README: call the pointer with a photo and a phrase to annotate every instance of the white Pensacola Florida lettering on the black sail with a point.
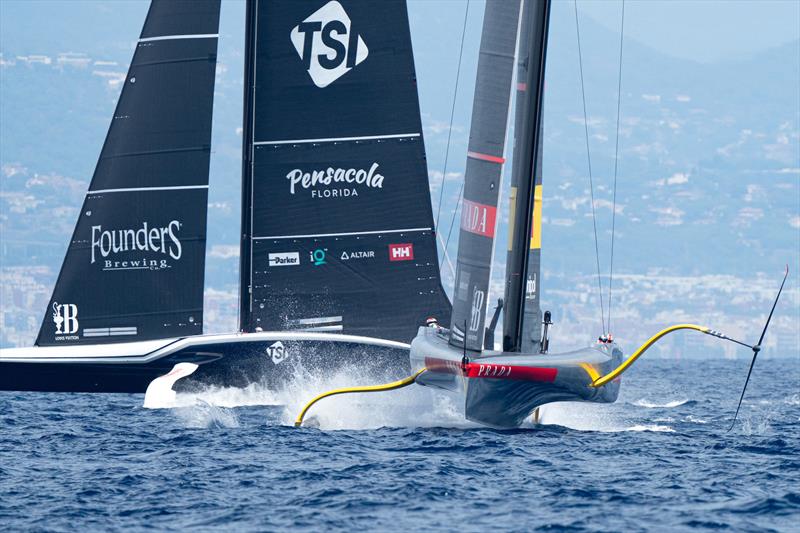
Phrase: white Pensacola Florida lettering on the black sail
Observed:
(335, 182)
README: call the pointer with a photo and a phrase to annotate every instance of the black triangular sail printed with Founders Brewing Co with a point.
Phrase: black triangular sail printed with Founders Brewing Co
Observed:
(135, 264)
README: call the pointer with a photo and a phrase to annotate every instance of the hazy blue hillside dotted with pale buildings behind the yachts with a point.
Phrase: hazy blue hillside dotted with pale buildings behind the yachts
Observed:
(709, 173)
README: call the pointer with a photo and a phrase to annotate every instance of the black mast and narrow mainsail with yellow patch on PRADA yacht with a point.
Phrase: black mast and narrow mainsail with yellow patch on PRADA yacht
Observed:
(522, 313)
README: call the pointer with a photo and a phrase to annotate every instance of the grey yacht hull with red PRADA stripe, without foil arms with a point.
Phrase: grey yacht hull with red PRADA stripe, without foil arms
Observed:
(502, 389)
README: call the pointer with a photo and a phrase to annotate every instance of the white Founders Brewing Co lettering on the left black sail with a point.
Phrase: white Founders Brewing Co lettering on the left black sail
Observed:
(143, 248)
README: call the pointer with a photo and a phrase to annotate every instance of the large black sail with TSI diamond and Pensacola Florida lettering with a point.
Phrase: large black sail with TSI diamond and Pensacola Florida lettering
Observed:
(339, 226)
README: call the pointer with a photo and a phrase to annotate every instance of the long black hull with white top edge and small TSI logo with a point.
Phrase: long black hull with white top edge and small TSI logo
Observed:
(221, 364)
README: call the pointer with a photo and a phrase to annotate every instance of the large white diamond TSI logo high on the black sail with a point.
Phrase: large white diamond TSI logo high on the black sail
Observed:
(328, 45)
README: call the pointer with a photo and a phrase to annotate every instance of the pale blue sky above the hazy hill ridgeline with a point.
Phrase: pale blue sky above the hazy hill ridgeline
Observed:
(702, 30)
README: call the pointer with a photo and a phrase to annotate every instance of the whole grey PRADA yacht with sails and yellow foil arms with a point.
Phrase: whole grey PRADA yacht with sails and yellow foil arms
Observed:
(502, 388)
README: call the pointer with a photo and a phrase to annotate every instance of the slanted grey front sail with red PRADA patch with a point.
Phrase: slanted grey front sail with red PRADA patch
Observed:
(485, 160)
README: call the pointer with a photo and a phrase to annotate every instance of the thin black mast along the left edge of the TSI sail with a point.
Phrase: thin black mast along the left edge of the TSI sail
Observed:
(245, 248)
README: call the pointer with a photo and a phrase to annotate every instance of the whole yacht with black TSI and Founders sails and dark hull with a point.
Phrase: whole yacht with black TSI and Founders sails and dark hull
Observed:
(338, 255)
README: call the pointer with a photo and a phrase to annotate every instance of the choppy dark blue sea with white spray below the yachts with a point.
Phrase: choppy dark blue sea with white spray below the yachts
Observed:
(659, 459)
